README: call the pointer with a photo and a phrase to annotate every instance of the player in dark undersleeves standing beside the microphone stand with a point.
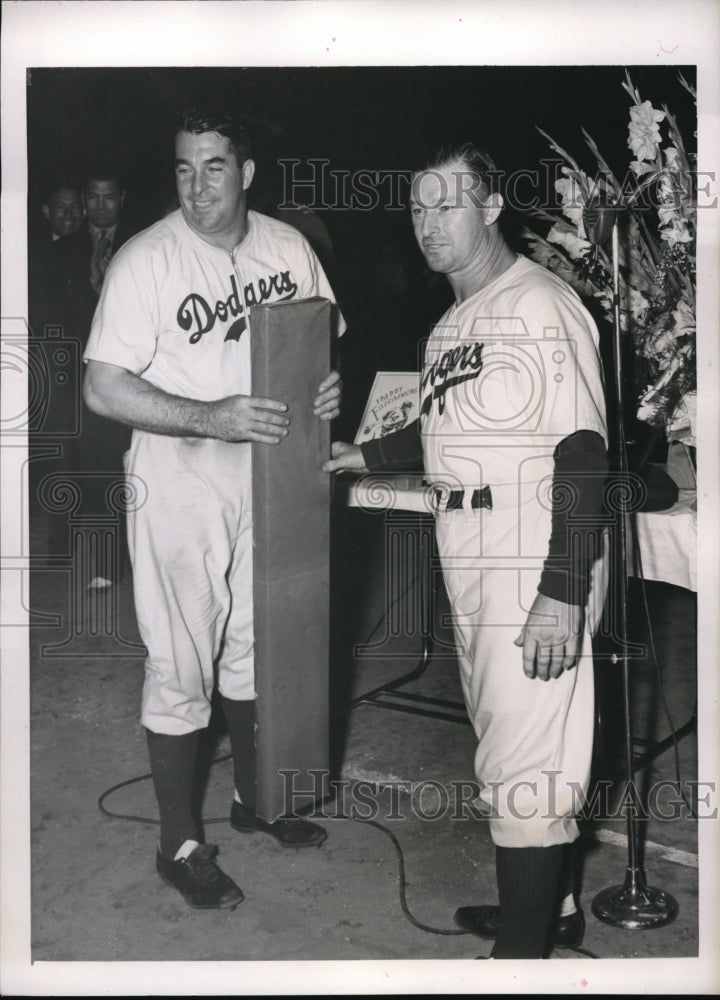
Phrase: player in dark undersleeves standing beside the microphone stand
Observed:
(513, 441)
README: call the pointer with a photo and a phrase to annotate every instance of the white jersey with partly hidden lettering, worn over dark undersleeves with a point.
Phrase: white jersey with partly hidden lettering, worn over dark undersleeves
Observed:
(509, 373)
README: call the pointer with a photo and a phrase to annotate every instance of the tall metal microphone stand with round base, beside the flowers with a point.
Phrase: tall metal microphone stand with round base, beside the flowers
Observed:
(634, 904)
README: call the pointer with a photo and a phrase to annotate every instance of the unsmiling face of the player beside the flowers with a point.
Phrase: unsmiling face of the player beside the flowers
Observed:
(449, 218)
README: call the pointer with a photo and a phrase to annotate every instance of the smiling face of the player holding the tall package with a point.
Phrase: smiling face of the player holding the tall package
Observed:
(212, 187)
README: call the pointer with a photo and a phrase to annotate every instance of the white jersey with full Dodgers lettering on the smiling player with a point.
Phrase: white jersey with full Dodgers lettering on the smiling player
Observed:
(175, 310)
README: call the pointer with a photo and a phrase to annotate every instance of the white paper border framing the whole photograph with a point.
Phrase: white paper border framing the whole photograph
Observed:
(329, 33)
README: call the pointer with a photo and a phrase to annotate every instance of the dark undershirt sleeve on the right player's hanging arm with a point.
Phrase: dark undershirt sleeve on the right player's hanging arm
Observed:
(578, 488)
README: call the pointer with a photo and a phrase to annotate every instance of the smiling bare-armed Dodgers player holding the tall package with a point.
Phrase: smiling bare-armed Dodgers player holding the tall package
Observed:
(169, 354)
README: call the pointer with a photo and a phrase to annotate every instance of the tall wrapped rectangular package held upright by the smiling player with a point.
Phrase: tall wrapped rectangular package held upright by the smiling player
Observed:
(291, 352)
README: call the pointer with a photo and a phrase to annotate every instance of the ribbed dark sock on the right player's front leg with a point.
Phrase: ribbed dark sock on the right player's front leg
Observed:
(528, 880)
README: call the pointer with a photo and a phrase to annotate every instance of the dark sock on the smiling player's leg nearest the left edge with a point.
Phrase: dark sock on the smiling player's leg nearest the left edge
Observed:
(172, 763)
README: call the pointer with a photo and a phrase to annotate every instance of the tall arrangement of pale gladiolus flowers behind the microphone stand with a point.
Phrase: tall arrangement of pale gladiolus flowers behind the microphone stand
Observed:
(656, 253)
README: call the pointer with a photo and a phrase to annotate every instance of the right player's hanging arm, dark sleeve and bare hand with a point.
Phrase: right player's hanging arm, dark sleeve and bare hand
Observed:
(552, 634)
